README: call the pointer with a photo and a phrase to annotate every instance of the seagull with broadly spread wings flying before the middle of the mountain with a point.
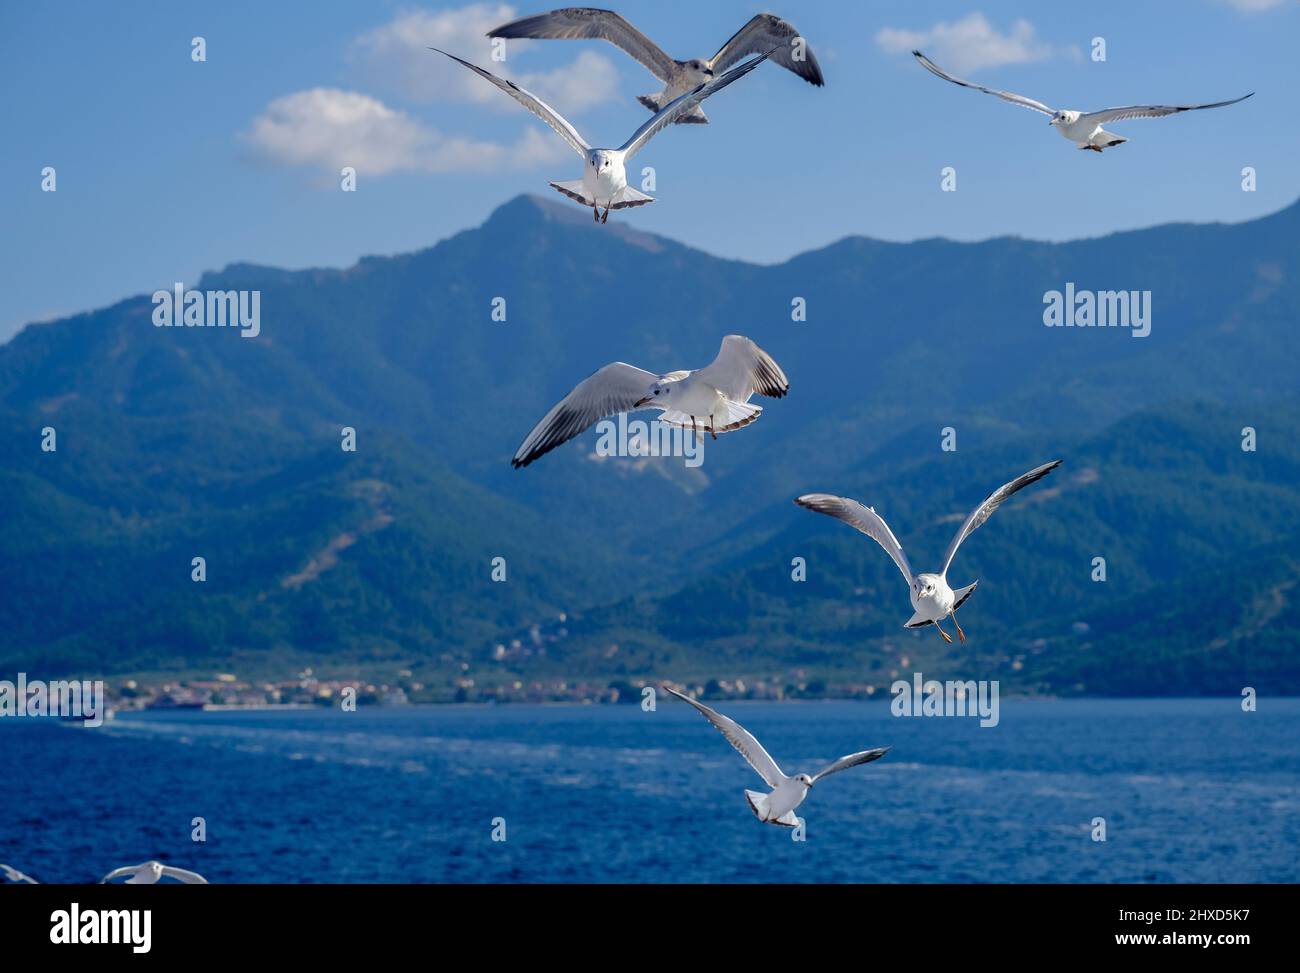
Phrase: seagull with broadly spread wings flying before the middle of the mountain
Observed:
(714, 399)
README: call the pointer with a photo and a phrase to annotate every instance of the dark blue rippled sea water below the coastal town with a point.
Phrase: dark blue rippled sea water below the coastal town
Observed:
(1191, 792)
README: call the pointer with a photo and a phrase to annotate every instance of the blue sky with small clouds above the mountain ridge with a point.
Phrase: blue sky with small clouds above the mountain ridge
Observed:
(167, 168)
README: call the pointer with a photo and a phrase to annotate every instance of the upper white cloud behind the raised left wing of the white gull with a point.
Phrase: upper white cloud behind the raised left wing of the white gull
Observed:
(397, 57)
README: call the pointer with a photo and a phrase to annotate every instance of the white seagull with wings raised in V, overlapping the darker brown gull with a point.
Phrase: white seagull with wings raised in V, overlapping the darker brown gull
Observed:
(605, 179)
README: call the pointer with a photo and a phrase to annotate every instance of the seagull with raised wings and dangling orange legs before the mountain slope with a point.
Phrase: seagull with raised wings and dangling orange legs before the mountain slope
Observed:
(931, 598)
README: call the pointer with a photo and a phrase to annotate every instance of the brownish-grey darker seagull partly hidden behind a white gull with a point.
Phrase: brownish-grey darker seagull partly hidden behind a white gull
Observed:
(762, 33)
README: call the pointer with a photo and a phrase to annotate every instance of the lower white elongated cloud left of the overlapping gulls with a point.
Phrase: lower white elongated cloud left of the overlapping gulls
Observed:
(328, 129)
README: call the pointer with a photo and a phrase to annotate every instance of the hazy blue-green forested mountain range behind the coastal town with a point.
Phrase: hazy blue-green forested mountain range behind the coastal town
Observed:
(175, 443)
